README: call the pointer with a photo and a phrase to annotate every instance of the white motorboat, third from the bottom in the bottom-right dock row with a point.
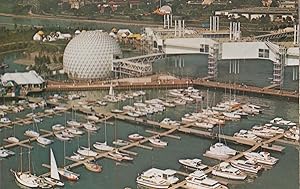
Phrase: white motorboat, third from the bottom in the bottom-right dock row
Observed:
(246, 165)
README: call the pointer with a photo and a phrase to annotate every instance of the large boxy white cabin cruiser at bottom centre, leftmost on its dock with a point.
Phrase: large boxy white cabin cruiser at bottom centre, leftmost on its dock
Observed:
(156, 178)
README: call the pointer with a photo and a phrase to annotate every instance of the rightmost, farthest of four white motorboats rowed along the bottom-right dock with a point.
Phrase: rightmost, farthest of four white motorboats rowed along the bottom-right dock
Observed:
(261, 157)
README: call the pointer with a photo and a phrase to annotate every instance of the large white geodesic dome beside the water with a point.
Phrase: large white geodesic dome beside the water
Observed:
(89, 55)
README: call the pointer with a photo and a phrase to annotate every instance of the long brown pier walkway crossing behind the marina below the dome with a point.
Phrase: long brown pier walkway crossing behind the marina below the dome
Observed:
(175, 83)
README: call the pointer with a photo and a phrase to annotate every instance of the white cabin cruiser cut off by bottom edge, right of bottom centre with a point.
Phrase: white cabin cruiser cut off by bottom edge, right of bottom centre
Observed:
(199, 180)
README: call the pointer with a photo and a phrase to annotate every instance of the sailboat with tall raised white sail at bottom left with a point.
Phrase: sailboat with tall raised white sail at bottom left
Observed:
(54, 178)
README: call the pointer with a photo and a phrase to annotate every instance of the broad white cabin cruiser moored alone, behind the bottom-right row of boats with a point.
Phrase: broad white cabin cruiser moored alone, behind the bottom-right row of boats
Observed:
(220, 151)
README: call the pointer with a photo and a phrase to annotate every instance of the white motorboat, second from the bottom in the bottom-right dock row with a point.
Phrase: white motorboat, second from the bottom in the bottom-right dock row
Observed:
(225, 170)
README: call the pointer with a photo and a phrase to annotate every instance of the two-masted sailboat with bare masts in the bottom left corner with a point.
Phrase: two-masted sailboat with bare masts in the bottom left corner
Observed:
(26, 178)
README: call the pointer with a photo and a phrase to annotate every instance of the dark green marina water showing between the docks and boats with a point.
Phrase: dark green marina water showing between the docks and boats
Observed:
(116, 175)
